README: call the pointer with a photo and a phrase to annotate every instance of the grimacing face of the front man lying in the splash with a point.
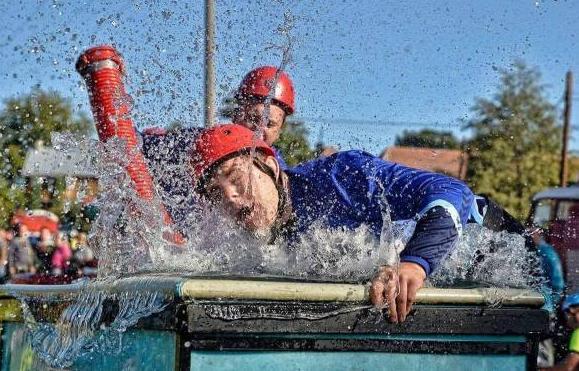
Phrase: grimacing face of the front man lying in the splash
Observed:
(245, 192)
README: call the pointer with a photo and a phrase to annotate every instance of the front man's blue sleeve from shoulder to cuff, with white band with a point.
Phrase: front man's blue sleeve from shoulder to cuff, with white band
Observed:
(440, 204)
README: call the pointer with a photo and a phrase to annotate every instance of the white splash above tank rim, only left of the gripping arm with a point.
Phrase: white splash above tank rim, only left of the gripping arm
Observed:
(127, 235)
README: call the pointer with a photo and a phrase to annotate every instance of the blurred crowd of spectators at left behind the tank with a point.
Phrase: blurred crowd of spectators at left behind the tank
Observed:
(56, 255)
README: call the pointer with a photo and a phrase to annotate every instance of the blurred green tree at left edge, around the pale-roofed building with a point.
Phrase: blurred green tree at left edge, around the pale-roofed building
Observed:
(25, 121)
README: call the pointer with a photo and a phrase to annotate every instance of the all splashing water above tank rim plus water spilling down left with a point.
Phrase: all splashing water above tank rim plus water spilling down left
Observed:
(128, 239)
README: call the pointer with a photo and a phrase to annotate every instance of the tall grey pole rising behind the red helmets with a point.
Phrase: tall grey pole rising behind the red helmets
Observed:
(209, 63)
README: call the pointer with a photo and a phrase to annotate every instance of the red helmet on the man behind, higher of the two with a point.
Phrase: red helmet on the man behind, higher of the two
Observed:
(258, 83)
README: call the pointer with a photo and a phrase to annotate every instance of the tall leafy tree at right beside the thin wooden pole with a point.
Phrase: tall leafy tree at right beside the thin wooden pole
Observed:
(515, 147)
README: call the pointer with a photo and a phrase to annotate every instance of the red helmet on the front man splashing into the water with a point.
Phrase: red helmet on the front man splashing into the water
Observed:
(215, 143)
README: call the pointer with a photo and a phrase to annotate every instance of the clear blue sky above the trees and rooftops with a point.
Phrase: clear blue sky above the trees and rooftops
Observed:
(364, 70)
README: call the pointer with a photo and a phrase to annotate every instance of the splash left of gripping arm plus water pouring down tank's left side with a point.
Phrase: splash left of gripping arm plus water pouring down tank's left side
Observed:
(128, 238)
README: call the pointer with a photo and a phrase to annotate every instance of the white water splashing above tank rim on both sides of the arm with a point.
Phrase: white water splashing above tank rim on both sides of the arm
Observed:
(127, 237)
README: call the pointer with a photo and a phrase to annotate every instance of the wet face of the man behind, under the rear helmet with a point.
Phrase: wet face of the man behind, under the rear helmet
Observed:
(252, 116)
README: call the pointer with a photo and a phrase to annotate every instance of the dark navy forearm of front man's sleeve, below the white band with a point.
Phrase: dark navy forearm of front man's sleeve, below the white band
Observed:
(434, 238)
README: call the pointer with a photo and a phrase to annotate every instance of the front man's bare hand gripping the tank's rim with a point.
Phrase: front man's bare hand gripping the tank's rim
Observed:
(396, 290)
